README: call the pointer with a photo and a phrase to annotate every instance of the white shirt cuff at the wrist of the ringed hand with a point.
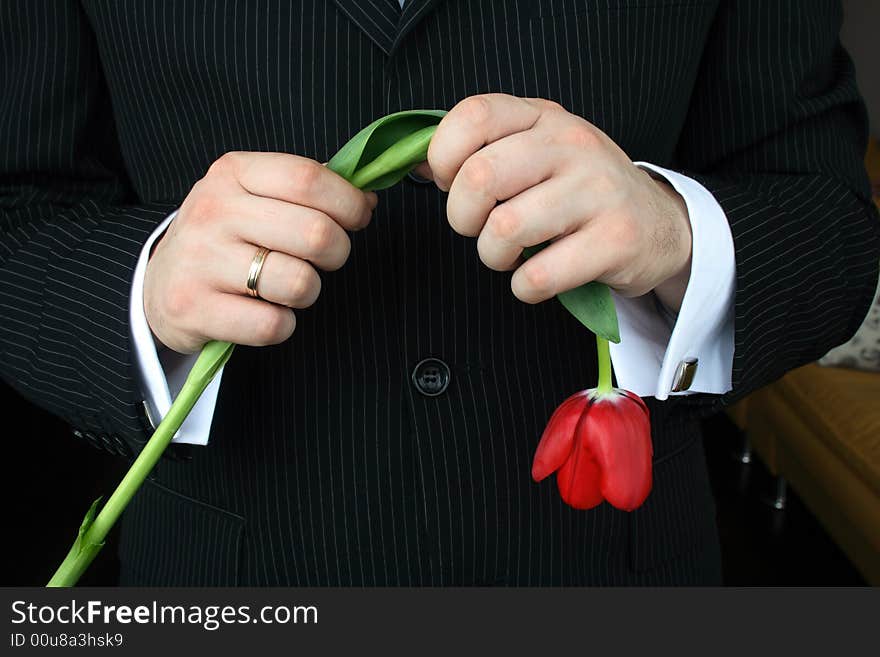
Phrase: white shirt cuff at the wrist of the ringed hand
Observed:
(161, 376)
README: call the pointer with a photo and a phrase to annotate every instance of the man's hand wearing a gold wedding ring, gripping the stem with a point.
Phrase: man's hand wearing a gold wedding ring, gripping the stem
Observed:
(195, 283)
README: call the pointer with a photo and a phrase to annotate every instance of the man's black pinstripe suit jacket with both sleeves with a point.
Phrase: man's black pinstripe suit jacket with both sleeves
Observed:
(326, 465)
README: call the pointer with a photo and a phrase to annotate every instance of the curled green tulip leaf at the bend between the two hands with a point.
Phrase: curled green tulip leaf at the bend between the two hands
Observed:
(380, 136)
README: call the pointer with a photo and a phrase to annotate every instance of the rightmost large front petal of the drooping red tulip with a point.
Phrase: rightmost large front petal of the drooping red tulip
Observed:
(618, 432)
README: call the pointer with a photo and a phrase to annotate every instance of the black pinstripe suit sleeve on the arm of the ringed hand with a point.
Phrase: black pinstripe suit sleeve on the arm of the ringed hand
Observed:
(71, 228)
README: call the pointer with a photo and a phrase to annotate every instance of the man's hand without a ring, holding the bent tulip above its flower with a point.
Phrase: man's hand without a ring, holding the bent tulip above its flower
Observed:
(522, 171)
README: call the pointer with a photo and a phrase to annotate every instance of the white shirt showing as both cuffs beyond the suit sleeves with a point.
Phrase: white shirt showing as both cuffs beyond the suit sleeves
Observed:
(652, 344)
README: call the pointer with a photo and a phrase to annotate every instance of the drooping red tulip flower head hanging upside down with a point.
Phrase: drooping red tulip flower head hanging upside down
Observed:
(599, 445)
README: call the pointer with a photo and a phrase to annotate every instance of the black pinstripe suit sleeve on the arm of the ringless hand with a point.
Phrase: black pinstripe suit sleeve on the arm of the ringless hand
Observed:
(776, 131)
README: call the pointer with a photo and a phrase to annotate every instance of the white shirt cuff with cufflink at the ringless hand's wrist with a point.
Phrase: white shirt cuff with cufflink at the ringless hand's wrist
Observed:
(651, 347)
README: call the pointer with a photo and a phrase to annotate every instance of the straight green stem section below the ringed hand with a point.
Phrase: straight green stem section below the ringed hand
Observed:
(95, 528)
